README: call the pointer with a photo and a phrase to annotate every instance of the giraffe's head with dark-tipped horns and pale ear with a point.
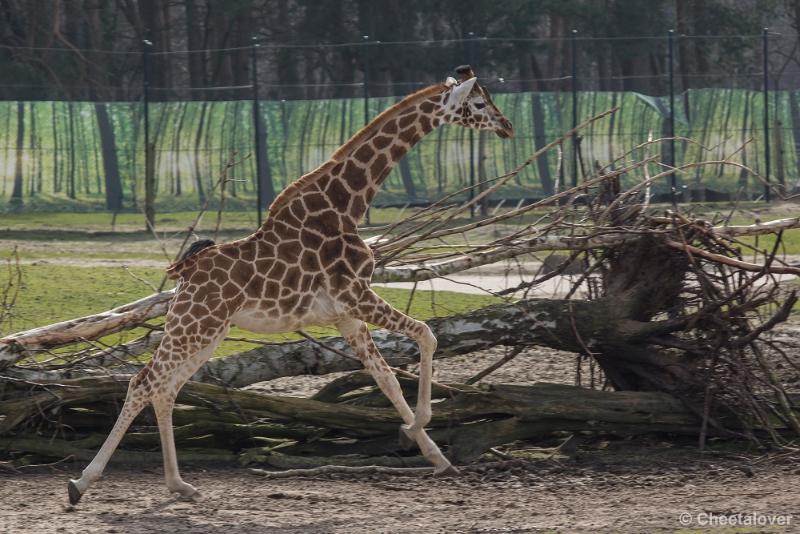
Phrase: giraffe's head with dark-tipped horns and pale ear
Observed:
(469, 104)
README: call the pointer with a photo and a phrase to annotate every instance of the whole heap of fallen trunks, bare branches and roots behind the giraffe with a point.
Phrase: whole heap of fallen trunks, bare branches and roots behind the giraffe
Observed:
(676, 312)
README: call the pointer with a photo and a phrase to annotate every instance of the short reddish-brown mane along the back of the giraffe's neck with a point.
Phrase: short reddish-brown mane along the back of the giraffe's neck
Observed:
(343, 151)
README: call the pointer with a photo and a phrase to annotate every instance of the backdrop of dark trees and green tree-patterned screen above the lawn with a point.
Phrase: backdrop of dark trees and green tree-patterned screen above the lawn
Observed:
(72, 91)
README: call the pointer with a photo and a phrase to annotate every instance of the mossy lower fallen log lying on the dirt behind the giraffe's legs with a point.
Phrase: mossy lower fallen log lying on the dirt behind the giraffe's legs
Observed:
(469, 420)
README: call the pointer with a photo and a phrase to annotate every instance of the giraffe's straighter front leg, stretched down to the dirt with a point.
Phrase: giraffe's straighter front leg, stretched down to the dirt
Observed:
(358, 337)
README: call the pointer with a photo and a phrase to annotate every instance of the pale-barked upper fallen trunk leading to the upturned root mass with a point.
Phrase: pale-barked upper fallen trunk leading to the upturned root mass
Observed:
(560, 324)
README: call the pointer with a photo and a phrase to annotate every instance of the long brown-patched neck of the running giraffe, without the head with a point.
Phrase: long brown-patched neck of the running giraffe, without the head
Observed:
(351, 178)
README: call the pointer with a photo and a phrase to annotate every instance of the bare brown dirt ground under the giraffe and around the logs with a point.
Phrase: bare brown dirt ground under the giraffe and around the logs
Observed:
(639, 485)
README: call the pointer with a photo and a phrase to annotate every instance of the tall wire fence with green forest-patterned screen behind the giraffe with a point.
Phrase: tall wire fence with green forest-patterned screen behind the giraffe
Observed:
(83, 146)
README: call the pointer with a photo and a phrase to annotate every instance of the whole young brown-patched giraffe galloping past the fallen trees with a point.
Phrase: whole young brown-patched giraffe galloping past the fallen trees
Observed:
(306, 265)
